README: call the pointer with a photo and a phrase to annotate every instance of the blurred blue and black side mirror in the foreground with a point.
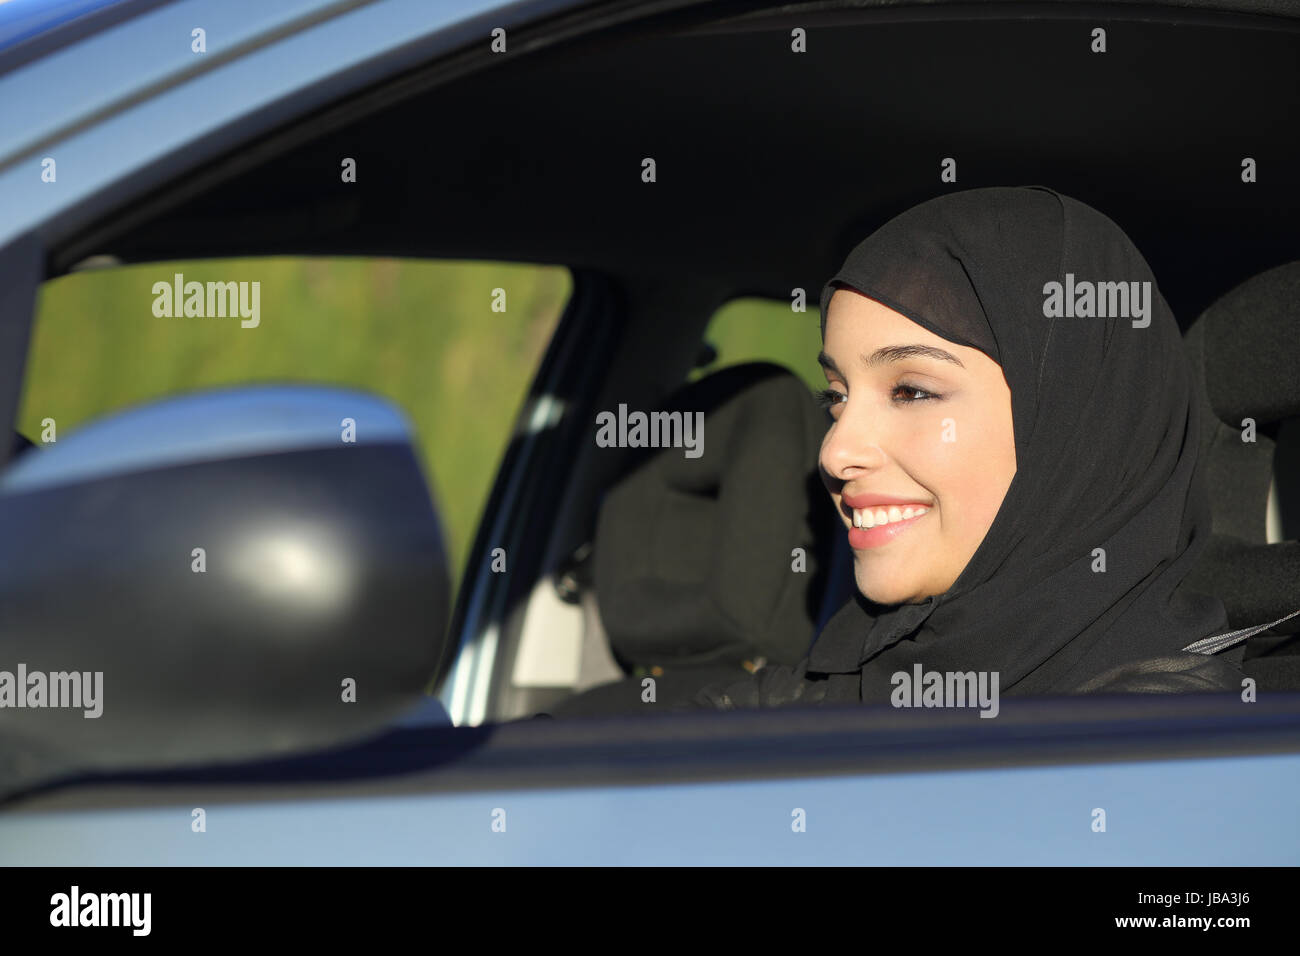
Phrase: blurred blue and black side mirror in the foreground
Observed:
(222, 577)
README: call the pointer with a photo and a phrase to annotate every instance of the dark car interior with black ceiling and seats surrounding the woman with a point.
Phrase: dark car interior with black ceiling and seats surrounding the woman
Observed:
(769, 167)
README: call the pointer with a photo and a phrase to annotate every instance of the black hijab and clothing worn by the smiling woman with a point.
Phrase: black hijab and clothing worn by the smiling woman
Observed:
(1107, 457)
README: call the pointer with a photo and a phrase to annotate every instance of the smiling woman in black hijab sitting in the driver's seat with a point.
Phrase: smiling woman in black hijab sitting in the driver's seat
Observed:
(1016, 474)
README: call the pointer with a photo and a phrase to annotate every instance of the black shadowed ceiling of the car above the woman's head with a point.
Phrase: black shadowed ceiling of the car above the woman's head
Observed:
(773, 165)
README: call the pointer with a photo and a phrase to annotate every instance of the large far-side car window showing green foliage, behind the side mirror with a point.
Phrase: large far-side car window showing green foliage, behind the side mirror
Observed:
(453, 344)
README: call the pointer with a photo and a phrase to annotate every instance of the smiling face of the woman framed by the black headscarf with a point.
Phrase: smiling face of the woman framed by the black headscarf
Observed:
(918, 423)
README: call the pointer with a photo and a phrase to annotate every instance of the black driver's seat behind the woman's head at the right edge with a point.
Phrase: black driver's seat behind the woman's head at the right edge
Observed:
(1246, 357)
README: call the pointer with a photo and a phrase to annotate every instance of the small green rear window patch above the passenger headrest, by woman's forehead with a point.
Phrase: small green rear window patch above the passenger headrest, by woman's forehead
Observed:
(757, 330)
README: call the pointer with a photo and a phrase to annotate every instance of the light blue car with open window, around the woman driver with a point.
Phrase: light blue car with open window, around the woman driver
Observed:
(241, 607)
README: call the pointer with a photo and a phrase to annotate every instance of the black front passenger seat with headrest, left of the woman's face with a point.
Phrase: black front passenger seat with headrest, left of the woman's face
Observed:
(695, 559)
